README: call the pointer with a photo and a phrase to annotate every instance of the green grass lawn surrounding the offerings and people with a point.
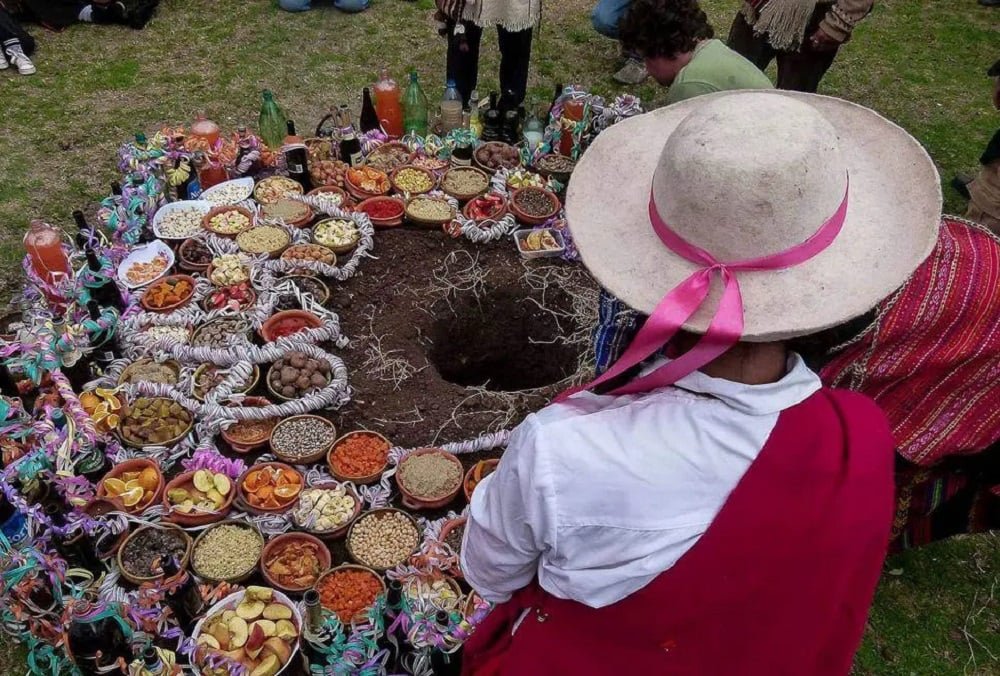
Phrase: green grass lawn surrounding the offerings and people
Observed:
(920, 62)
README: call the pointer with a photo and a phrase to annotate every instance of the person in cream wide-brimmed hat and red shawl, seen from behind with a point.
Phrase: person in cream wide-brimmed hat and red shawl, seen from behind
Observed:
(718, 512)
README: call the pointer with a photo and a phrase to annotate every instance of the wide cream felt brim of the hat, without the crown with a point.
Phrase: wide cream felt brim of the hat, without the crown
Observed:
(891, 227)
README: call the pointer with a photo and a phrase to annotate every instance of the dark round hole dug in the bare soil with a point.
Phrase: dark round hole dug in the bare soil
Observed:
(504, 341)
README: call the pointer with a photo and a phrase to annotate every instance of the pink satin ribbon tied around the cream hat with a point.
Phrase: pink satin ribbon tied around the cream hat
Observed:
(681, 303)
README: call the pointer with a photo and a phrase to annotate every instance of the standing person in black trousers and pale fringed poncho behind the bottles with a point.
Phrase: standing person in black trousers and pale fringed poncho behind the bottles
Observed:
(463, 22)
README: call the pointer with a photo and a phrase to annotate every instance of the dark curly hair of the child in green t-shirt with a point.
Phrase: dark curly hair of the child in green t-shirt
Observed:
(655, 28)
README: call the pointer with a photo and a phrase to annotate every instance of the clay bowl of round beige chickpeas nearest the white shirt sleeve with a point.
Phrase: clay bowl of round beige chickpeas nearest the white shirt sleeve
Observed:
(383, 538)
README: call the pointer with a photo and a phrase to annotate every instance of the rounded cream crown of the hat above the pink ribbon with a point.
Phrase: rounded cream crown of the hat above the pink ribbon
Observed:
(749, 175)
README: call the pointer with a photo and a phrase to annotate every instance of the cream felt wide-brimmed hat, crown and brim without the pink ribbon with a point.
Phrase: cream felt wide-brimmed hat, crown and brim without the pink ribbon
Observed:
(751, 173)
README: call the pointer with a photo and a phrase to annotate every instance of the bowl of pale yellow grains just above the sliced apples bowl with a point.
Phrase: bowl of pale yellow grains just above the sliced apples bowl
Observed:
(228, 551)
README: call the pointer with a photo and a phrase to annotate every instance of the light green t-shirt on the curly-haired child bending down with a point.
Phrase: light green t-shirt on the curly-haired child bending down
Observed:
(715, 68)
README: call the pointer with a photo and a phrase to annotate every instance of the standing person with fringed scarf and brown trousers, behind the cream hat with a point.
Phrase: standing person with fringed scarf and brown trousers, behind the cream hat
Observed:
(802, 35)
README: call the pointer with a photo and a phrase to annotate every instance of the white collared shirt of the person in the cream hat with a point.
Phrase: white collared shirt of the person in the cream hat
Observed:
(599, 495)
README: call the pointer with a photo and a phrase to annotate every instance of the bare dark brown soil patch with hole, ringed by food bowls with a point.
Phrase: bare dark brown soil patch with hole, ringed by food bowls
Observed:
(497, 339)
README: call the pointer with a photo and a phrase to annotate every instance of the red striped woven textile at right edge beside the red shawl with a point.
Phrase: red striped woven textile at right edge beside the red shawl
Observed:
(932, 360)
